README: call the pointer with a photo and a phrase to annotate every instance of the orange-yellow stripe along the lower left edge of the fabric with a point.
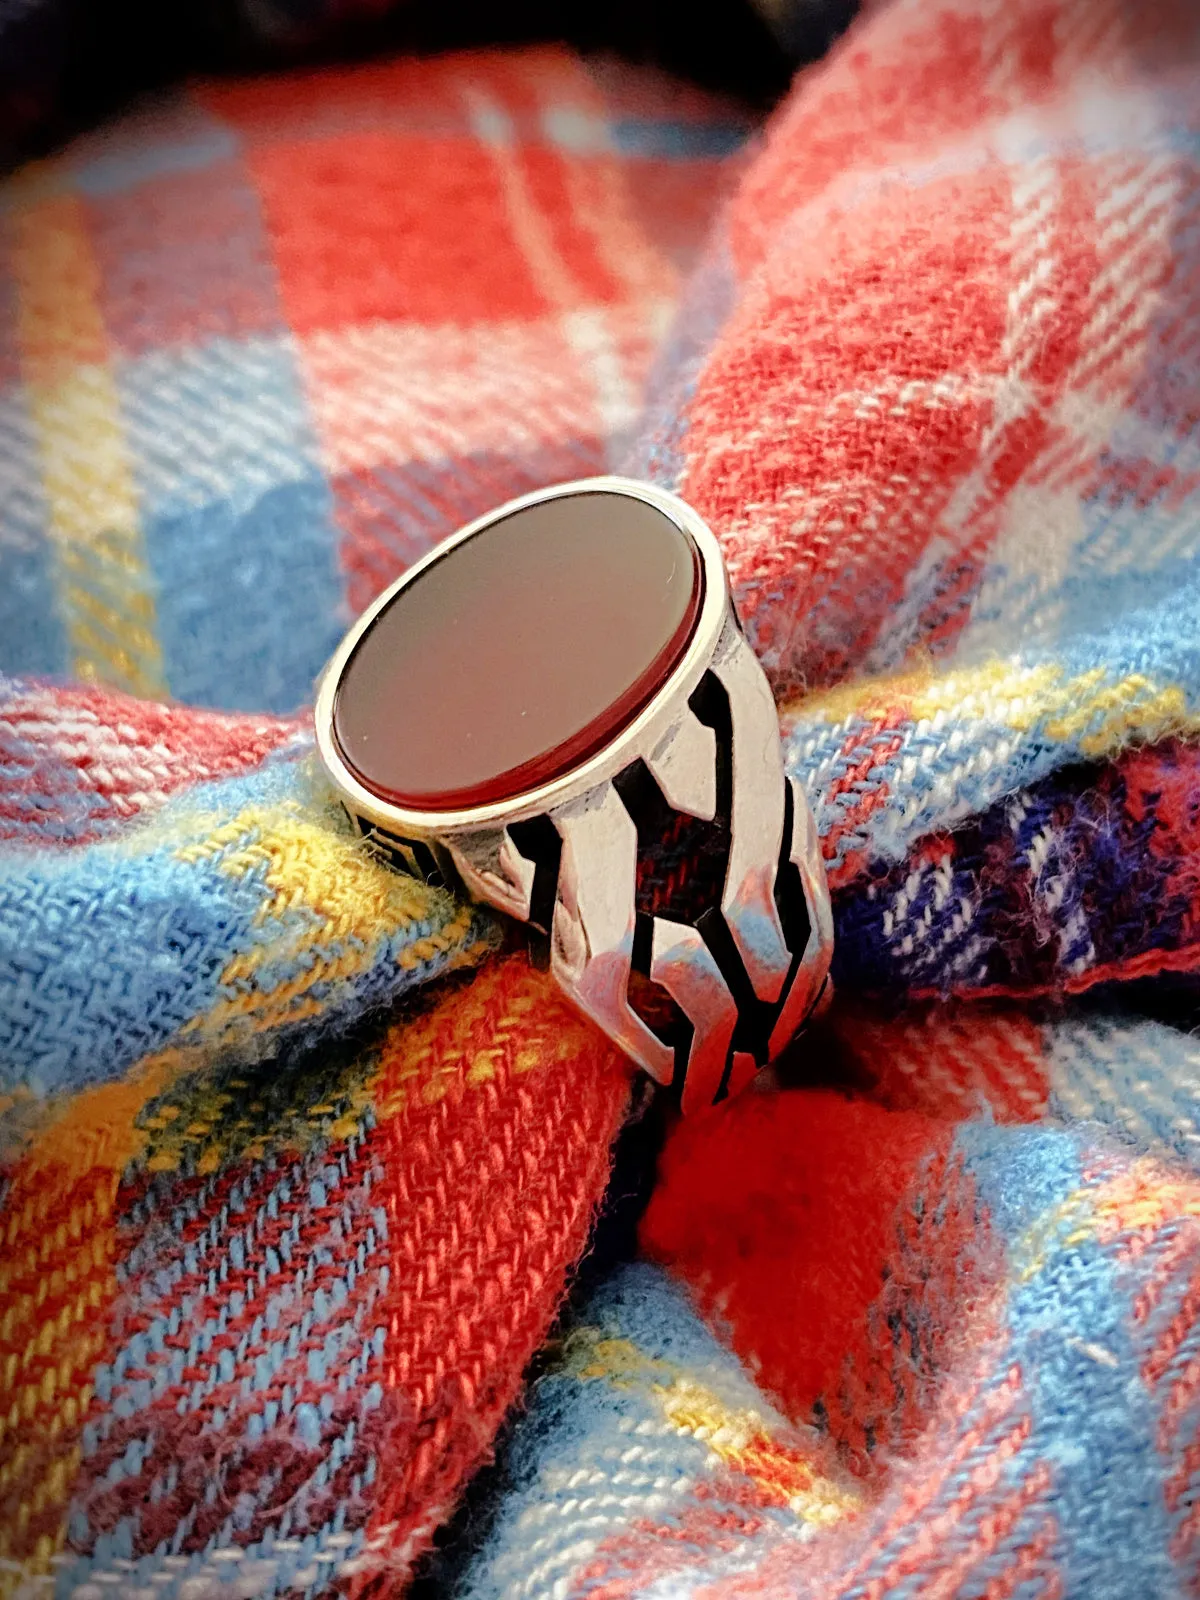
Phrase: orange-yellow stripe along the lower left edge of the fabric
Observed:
(57, 1286)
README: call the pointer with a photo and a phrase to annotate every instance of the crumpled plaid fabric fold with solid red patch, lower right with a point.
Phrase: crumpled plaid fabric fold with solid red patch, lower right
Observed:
(977, 1313)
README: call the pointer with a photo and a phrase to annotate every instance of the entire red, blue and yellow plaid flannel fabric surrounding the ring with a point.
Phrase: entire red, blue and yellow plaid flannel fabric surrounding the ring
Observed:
(300, 1158)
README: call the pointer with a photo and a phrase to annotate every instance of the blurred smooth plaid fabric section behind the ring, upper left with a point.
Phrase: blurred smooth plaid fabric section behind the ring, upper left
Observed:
(271, 340)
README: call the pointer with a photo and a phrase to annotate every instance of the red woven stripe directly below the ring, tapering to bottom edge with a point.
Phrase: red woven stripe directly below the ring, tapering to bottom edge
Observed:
(497, 1114)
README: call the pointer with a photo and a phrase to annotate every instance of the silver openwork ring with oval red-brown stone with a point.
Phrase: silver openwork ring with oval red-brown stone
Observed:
(665, 865)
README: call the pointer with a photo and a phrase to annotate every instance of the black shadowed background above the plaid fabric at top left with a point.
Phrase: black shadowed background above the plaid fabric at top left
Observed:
(66, 63)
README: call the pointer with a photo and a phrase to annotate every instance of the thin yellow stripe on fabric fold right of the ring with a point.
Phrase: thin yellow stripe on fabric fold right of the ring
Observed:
(1090, 710)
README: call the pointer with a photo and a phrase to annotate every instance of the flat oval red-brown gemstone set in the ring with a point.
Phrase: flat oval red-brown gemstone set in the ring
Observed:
(519, 654)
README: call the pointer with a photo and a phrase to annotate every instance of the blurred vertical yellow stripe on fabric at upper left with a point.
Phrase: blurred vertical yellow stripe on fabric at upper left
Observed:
(102, 575)
